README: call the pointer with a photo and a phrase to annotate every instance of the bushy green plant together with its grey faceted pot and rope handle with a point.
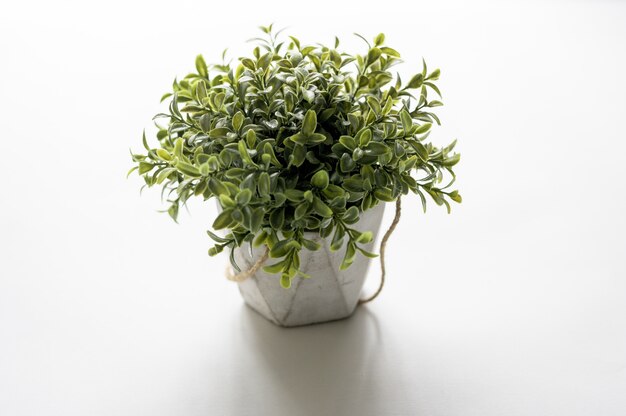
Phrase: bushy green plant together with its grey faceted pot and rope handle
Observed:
(301, 147)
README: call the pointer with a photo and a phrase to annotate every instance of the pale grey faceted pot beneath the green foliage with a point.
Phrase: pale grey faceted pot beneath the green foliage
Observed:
(329, 294)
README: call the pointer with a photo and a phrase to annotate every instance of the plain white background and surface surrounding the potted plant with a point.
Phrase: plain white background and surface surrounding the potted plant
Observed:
(513, 305)
